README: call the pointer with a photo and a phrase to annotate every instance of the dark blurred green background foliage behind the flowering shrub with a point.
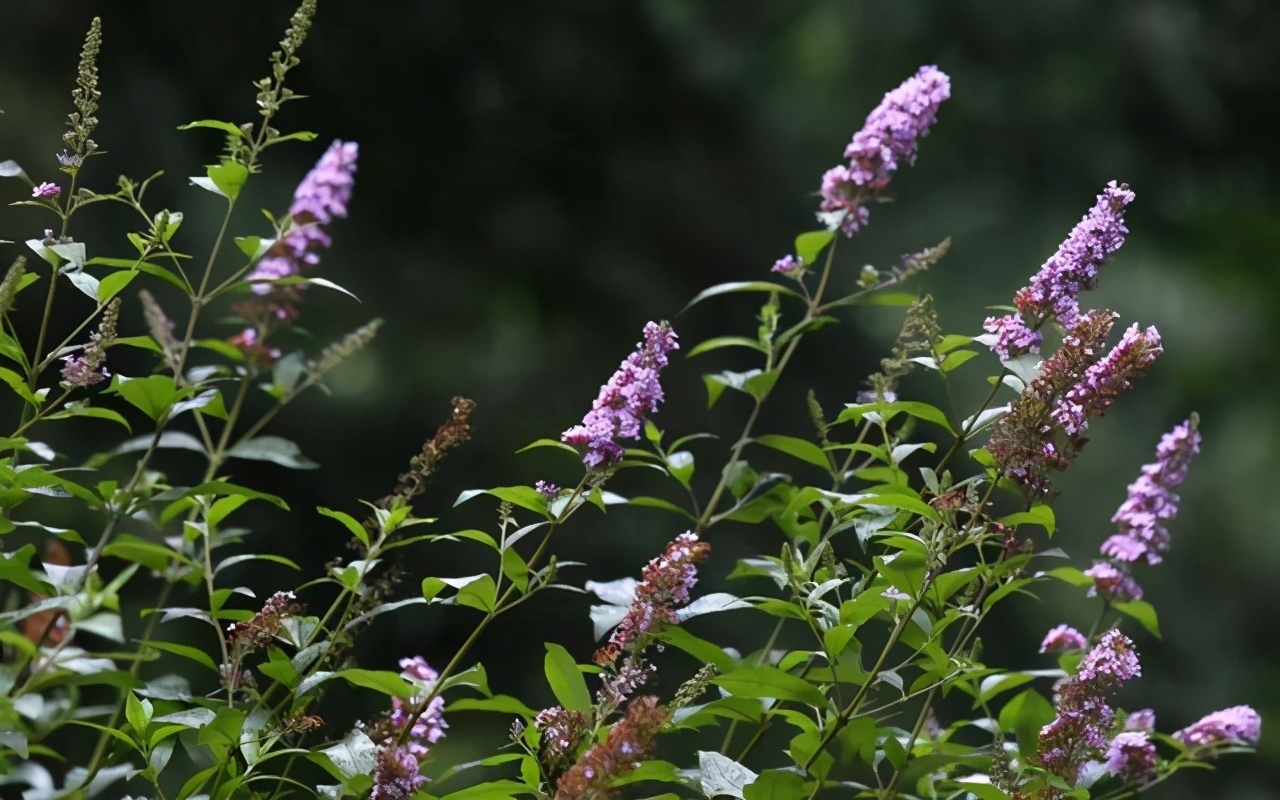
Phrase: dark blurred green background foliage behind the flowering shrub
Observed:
(538, 180)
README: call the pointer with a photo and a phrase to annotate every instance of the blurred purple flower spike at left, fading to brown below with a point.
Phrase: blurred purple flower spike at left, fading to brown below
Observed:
(321, 198)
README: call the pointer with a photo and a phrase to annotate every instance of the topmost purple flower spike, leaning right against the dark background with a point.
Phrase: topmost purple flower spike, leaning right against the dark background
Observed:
(889, 139)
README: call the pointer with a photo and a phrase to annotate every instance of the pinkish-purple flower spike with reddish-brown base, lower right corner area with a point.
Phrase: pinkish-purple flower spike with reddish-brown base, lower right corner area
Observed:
(1080, 732)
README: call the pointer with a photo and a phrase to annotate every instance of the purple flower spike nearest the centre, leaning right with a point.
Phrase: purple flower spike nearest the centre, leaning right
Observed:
(624, 404)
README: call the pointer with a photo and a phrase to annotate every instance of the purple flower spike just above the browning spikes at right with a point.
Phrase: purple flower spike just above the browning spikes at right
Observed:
(1054, 291)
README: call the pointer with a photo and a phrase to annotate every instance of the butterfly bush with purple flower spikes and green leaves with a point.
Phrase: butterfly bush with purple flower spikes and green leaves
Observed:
(851, 661)
